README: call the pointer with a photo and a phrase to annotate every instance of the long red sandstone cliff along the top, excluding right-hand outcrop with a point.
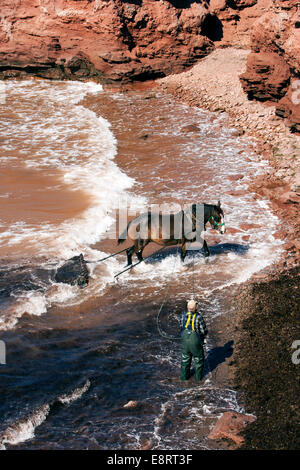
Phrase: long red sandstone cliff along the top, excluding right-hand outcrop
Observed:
(117, 39)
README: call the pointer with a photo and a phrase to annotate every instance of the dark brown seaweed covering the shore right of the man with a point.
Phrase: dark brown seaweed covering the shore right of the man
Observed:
(265, 374)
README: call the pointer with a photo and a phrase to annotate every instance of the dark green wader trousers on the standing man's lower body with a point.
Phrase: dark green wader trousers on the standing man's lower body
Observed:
(191, 347)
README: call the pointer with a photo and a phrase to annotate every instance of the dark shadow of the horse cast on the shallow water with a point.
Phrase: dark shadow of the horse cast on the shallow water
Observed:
(215, 250)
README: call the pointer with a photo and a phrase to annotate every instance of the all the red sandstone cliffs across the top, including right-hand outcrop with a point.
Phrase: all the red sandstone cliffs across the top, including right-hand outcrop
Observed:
(140, 39)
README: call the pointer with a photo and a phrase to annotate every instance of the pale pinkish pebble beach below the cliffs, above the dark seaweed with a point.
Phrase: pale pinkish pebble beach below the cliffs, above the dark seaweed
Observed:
(214, 84)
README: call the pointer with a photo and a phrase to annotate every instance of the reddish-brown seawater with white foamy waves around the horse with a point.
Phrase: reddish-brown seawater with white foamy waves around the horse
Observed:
(71, 153)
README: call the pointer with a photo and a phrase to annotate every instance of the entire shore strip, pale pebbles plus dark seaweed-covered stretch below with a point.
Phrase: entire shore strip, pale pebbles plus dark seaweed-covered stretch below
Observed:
(266, 317)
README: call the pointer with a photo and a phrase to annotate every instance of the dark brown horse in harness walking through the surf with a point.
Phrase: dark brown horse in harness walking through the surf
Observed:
(172, 229)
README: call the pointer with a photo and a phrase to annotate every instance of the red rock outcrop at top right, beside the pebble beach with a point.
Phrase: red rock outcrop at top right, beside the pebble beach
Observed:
(273, 66)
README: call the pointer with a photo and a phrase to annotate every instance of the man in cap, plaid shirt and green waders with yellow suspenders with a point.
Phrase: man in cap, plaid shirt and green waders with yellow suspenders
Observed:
(193, 334)
